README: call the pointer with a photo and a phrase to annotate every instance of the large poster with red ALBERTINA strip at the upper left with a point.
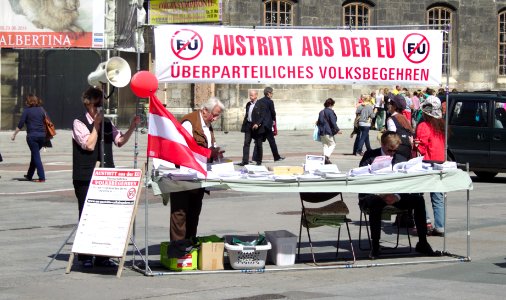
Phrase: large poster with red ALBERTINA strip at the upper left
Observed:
(52, 24)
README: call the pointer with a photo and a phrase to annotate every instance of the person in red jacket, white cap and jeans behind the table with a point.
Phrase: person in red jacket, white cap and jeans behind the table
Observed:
(430, 142)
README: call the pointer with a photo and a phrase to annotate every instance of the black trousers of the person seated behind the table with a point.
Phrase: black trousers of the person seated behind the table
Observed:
(375, 204)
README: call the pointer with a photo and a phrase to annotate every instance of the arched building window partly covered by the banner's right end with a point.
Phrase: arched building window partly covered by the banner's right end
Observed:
(440, 17)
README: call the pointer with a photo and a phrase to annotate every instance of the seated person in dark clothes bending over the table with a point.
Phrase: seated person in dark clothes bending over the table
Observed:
(375, 203)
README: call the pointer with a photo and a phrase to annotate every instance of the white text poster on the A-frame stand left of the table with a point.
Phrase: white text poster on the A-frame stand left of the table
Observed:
(108, 212)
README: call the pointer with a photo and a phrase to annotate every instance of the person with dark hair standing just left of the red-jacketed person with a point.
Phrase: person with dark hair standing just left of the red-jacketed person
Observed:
(398, 123)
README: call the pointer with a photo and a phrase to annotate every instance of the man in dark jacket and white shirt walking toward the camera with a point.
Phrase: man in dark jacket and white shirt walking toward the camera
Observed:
(253, 128)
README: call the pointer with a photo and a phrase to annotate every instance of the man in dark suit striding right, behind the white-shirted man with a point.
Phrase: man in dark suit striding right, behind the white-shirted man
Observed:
(269, 123)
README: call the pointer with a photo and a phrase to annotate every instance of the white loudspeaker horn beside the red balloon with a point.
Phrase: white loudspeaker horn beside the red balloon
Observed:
(115, 71)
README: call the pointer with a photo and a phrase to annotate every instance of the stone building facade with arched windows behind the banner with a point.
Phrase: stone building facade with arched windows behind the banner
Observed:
(473, 58)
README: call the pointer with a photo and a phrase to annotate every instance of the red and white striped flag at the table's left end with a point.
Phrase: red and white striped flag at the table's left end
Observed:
(169, 140)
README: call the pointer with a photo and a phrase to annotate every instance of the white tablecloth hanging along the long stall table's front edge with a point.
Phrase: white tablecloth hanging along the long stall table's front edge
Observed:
(431, 181)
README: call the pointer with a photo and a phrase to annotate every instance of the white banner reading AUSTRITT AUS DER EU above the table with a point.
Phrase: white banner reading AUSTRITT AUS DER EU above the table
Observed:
(186, 53)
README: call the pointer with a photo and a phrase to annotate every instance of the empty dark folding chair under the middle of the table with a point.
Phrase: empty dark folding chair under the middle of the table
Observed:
(333, 214)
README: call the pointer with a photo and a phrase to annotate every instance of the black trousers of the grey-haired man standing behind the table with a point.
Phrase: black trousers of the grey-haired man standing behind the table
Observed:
(185, 210)
